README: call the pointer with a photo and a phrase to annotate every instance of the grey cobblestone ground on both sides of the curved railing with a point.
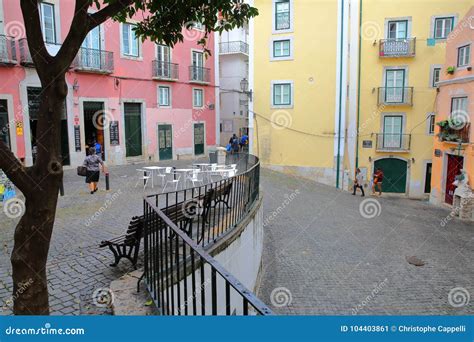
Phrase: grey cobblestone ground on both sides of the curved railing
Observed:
(321, 256)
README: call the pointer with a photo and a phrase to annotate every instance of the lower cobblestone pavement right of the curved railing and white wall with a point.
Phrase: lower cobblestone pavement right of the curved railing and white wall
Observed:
(323, 257)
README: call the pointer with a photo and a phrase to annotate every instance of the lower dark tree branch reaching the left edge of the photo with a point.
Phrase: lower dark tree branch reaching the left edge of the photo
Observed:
(14, 170)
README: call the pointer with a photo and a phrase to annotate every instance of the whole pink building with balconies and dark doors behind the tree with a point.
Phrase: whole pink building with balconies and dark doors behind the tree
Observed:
(141, 101)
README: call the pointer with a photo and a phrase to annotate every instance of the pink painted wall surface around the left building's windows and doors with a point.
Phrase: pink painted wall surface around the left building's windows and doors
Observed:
(134, 81)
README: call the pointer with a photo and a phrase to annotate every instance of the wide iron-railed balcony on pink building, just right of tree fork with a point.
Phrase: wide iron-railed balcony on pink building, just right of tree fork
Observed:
(93, 60)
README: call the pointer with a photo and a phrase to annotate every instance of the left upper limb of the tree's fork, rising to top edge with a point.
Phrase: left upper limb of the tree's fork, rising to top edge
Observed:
(38, 52)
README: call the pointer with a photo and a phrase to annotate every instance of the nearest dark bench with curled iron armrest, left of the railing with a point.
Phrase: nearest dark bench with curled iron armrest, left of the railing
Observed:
(127, 245)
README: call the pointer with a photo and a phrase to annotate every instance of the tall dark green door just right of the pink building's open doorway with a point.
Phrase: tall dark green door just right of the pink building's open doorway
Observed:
(133, 129)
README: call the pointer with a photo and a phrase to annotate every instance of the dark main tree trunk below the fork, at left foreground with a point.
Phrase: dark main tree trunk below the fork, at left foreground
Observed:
(33, 232)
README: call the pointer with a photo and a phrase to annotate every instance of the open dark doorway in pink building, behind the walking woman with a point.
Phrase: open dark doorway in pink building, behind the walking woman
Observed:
(94, 122)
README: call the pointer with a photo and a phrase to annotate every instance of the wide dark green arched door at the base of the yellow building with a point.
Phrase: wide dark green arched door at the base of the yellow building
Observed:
(395, 174)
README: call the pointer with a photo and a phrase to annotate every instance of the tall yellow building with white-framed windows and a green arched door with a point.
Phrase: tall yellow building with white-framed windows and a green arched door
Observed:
(340, 84)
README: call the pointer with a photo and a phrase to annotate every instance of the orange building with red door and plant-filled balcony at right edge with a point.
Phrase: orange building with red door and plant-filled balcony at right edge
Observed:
(454, 129)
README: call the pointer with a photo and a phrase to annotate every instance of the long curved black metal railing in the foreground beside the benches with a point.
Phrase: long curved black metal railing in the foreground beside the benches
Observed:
(183, 279)
